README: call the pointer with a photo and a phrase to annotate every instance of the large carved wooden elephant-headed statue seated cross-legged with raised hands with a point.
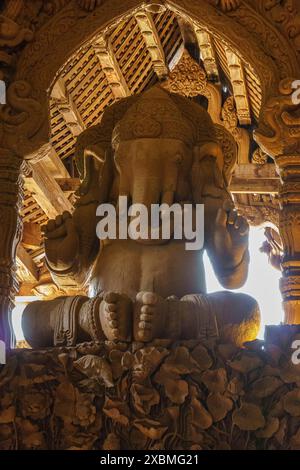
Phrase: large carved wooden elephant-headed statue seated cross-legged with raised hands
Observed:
(153, 148)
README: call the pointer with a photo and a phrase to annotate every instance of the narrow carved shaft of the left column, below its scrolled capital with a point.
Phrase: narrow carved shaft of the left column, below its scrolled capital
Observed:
(10, 223)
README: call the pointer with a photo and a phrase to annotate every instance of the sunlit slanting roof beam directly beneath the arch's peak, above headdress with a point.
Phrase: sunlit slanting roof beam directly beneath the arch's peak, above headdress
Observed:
(152, 40)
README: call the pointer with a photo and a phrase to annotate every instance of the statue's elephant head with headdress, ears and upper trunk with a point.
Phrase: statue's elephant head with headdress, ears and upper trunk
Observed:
(155, 148)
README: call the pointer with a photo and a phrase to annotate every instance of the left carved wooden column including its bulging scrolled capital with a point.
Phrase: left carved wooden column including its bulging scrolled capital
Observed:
(20, 122)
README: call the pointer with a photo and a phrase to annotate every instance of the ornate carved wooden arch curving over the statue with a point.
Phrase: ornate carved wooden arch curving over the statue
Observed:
(244, 29)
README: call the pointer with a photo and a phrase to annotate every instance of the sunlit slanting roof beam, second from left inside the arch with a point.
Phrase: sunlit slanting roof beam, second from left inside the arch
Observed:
(104, 51)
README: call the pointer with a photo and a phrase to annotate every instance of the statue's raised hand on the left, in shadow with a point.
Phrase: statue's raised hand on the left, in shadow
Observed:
(61, 242)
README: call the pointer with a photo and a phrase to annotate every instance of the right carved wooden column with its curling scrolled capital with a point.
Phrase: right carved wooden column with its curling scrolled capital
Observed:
(279, 136)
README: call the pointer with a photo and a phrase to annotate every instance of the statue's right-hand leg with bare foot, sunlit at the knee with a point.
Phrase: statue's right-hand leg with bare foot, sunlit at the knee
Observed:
(232, 317)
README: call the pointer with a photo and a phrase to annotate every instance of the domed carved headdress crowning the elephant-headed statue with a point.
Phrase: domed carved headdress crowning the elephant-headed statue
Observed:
(158, 113)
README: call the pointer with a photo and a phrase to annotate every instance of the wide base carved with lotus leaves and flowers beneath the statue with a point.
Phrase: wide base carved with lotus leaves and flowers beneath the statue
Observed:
(184, 395)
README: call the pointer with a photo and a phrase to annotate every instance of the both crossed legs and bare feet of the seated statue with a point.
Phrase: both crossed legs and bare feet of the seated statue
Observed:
(72, 320)
